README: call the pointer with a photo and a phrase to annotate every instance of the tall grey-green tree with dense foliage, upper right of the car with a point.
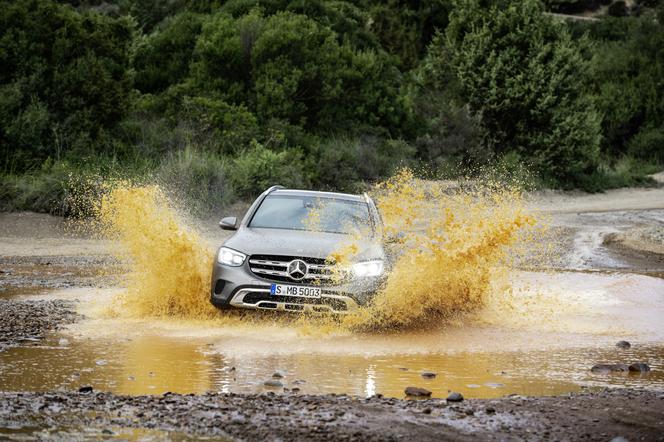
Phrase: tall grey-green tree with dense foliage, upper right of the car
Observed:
(524, 78)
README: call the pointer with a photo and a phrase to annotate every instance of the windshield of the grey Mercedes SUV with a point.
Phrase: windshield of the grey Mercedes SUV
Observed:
(318, 214)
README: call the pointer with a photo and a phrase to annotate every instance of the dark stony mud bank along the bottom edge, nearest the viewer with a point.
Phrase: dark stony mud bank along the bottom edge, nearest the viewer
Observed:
(633, 415)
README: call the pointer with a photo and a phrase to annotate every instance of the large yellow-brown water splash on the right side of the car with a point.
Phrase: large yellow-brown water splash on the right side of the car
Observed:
(454, 242)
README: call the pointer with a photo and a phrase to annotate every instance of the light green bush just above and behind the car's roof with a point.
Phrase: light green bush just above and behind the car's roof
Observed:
(258, 168)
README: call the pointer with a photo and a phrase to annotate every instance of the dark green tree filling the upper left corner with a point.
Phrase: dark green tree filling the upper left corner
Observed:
(64, 79)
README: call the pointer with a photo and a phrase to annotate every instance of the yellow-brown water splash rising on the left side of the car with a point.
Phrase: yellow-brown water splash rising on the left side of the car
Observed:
(169, 265)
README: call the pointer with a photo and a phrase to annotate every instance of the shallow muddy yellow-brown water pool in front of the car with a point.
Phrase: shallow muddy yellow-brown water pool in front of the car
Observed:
(559, 325)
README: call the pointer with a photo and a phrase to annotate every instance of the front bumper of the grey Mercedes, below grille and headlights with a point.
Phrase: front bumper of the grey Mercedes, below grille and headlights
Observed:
(238, 287)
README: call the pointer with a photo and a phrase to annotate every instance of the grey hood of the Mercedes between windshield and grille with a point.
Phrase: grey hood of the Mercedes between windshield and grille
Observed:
(257, 241)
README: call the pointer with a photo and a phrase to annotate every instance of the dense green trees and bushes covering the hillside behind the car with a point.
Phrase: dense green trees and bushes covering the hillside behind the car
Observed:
(219, 99)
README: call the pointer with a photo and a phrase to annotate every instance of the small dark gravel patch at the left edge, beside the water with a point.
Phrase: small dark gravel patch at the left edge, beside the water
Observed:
(27, 322)
